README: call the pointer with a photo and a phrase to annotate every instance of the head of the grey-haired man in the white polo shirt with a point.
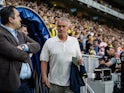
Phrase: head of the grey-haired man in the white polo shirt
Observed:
(63, 27)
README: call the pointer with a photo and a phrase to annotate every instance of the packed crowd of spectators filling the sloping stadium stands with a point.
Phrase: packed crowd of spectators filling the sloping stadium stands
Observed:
(93, 37)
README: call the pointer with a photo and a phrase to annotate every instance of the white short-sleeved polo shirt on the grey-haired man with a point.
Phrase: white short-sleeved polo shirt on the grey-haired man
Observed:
(59, 54)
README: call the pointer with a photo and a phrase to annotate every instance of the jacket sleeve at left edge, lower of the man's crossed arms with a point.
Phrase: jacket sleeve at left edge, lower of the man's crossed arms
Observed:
(10, 51)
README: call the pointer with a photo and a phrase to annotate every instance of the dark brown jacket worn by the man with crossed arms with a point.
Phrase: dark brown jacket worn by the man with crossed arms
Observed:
(11, 58)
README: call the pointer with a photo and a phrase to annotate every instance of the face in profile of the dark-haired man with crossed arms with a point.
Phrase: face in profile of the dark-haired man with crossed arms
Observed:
(17, 20)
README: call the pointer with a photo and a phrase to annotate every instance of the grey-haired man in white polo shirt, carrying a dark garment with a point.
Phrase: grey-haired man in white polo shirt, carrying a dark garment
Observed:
(58, 51)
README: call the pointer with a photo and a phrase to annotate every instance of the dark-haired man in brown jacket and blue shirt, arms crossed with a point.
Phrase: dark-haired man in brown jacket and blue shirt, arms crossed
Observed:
(15, 48)
